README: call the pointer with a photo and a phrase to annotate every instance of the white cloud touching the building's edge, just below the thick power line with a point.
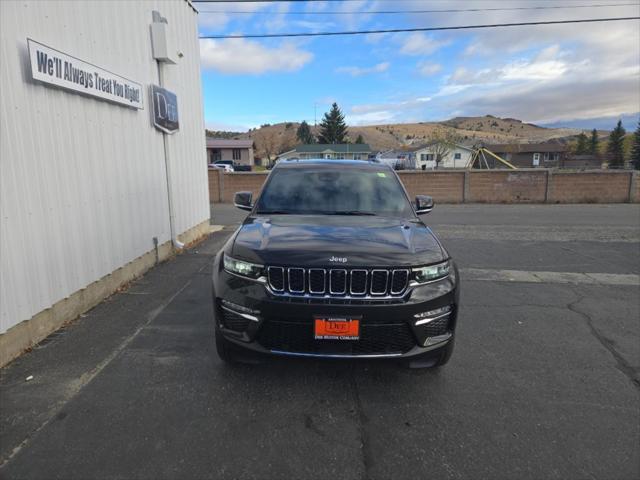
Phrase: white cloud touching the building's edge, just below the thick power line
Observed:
(251, 57)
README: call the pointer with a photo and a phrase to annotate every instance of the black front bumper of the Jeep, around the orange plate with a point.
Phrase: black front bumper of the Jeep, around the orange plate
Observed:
(252, 318)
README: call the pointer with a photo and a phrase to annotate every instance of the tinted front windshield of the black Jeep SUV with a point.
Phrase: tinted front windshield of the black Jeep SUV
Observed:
(339, 191)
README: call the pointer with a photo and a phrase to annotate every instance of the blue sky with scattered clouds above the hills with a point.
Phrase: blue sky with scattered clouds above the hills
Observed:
(539, 74)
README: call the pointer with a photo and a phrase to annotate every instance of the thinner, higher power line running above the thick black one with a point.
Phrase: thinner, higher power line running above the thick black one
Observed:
(450, 10)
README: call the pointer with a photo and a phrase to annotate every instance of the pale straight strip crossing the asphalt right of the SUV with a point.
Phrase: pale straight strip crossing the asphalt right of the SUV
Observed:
(523, 276)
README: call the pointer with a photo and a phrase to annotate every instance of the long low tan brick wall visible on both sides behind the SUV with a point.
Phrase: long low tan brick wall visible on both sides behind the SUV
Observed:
(484, 186)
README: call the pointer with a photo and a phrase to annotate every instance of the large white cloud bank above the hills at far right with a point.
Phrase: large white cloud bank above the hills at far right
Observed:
(553, 85)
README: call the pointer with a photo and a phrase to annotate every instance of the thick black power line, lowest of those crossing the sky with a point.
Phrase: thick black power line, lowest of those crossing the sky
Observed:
(424, 29)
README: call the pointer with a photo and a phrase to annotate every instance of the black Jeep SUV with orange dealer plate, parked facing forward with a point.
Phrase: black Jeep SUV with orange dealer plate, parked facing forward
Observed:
(333, 261)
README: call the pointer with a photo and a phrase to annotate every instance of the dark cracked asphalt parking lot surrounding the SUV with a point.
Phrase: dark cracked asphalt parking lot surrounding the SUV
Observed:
(544, 381)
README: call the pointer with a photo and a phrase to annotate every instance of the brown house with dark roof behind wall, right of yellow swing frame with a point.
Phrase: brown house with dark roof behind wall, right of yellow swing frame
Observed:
(530, 155)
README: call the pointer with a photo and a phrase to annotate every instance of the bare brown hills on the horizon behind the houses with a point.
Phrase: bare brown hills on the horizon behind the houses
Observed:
(280, 137)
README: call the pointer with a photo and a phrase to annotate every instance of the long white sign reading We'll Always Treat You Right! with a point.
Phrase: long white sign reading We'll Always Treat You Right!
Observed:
(51, 66)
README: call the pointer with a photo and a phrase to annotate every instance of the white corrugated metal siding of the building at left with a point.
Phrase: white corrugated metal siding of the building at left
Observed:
(82, 181)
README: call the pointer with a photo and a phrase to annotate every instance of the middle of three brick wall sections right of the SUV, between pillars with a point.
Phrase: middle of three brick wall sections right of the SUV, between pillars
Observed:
(507, 186)
